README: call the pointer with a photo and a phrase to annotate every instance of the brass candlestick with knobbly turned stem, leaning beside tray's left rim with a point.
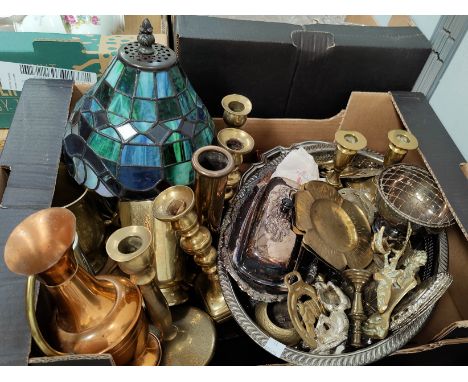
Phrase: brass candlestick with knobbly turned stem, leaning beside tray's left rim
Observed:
(176, 205)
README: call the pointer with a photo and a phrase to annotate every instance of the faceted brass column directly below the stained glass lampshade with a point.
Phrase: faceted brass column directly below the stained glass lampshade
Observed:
(169, 258)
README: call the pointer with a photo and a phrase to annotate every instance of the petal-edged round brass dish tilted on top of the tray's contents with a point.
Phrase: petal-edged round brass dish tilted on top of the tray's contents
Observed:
(334, 228)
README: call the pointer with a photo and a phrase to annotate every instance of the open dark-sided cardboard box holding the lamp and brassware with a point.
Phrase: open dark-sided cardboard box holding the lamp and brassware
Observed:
(32, 180)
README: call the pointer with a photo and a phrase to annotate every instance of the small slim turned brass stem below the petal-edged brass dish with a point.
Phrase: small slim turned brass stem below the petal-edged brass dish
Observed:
(359, 278)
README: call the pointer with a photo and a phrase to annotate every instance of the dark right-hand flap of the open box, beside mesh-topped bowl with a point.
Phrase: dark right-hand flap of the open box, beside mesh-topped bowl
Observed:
(438, 151)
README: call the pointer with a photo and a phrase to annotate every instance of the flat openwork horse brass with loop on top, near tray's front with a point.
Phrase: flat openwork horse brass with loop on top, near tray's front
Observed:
(304, 307)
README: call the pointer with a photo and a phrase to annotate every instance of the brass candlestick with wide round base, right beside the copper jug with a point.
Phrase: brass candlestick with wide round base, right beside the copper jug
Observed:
(190, 339)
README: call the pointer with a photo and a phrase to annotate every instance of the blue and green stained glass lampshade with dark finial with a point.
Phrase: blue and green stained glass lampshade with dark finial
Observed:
(133, 133)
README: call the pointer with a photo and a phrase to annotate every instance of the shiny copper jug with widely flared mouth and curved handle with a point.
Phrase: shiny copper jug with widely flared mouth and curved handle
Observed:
(94, 315)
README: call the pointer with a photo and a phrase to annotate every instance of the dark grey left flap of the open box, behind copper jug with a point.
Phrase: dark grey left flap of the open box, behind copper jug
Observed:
(32, 153)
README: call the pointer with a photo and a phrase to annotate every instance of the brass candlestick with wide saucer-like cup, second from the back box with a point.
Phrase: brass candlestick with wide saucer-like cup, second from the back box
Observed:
(239, 143)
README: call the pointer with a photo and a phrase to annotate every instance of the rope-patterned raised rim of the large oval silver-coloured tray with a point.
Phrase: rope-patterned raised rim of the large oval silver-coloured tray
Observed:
(362, 356)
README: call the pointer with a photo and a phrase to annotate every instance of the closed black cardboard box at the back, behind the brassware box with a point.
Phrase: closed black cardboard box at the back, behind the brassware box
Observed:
(295, 71)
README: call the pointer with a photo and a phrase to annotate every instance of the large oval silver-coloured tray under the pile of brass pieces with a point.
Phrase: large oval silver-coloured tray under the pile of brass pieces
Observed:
(234, 288)
